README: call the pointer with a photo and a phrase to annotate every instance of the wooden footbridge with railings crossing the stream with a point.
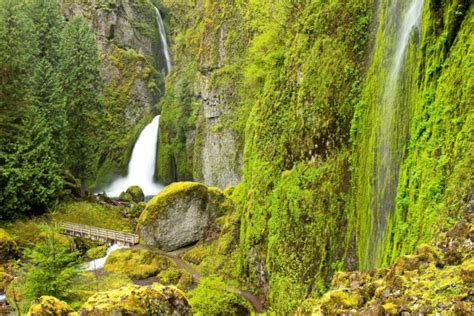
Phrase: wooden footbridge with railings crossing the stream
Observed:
(99, 234)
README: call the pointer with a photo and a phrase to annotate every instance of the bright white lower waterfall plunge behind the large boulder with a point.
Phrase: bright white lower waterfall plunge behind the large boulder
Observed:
(141, 167)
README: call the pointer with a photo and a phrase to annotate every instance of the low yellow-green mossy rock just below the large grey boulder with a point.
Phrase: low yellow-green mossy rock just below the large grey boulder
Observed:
(137, 263)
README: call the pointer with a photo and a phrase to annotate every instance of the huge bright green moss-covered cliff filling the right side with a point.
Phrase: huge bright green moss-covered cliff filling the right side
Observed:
(294, 94)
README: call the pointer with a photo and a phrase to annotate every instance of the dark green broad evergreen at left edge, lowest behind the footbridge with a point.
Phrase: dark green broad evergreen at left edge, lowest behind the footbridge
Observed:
(30, 176)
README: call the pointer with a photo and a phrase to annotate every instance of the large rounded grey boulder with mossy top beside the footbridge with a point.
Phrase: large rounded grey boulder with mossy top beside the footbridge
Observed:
(181, 214)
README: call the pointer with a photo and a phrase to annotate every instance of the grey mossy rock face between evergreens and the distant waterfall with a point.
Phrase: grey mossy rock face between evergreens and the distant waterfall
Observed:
(130, 52)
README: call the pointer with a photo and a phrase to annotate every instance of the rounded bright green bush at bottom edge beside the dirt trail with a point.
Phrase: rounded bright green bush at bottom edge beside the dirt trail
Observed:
(213, 297)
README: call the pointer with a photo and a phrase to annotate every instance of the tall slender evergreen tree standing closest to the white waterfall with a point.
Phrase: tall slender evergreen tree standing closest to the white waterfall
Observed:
(81, 81)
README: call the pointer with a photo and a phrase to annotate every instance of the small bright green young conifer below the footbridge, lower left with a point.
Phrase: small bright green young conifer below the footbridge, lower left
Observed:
(51, 269)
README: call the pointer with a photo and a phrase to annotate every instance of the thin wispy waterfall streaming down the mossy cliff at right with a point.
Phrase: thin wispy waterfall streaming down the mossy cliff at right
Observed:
(390, 138)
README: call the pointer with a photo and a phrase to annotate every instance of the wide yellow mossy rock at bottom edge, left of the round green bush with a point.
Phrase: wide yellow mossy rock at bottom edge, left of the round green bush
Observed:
(138, 300)
